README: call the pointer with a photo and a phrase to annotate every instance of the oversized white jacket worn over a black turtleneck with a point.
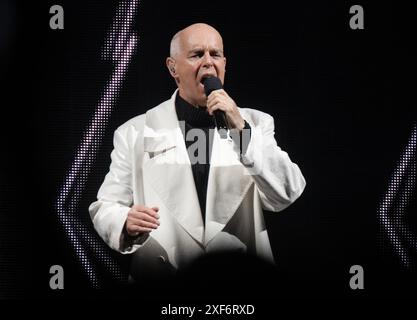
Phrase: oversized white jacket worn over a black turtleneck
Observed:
(150, 166)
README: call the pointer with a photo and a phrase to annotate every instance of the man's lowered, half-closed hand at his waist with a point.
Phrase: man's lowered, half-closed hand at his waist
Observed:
(141, 219)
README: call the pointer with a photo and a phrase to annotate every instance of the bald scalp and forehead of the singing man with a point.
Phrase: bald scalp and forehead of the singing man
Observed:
(177, 41)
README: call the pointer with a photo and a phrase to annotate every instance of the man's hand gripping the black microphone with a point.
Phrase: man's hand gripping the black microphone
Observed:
(220, 100)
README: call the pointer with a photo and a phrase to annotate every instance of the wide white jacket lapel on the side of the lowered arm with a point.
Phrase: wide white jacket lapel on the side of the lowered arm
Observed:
(168, 170)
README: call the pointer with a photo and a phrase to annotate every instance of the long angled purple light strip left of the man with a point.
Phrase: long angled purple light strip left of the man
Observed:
(120, 44)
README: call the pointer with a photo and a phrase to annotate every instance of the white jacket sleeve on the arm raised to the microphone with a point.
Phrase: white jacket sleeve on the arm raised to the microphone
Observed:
(279, 180)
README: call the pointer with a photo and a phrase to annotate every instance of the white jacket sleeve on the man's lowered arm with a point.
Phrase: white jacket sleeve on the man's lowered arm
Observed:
(115, 197)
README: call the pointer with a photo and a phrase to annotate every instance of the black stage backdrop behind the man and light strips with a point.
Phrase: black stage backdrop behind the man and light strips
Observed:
(344, 107)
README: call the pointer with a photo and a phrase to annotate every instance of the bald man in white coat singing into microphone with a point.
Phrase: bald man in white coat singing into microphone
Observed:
(170, 209)
